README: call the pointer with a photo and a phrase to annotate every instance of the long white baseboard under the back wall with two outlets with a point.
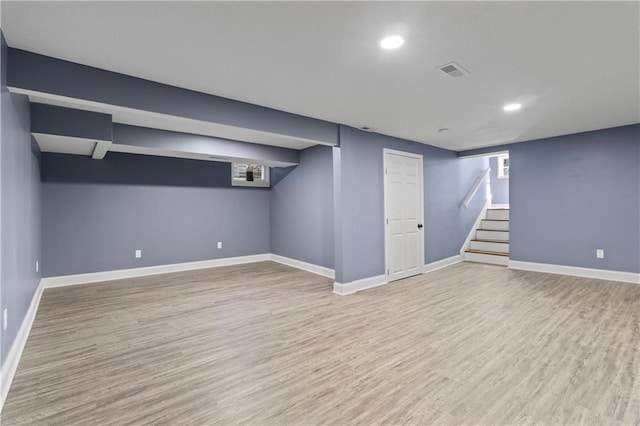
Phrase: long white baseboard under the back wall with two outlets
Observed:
(93, 277)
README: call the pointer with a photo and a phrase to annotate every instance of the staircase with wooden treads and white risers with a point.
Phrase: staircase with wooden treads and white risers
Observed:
(491, 244)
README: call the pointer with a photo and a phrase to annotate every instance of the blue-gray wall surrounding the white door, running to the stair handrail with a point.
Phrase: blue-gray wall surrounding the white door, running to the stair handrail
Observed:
(447, 180)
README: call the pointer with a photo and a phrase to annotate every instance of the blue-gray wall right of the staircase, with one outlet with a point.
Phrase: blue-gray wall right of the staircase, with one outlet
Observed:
(571, 195)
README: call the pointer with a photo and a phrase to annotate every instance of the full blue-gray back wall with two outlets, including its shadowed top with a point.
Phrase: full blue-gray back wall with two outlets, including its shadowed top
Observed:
(96, 213)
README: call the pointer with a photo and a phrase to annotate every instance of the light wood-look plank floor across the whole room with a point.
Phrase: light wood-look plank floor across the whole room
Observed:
(266, 344)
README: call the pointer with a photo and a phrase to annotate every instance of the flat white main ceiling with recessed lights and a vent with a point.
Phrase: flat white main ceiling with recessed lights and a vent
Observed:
(574, 66)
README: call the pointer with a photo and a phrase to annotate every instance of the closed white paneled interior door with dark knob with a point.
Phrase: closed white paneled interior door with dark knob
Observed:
(404, 237)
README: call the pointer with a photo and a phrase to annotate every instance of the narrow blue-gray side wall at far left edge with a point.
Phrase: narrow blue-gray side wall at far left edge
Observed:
(21, 212)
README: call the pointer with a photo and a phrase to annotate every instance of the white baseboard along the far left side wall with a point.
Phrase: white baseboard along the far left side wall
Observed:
(13, 358)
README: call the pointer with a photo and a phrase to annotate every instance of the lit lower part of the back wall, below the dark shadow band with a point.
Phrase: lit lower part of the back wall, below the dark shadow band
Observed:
(98, 227)
